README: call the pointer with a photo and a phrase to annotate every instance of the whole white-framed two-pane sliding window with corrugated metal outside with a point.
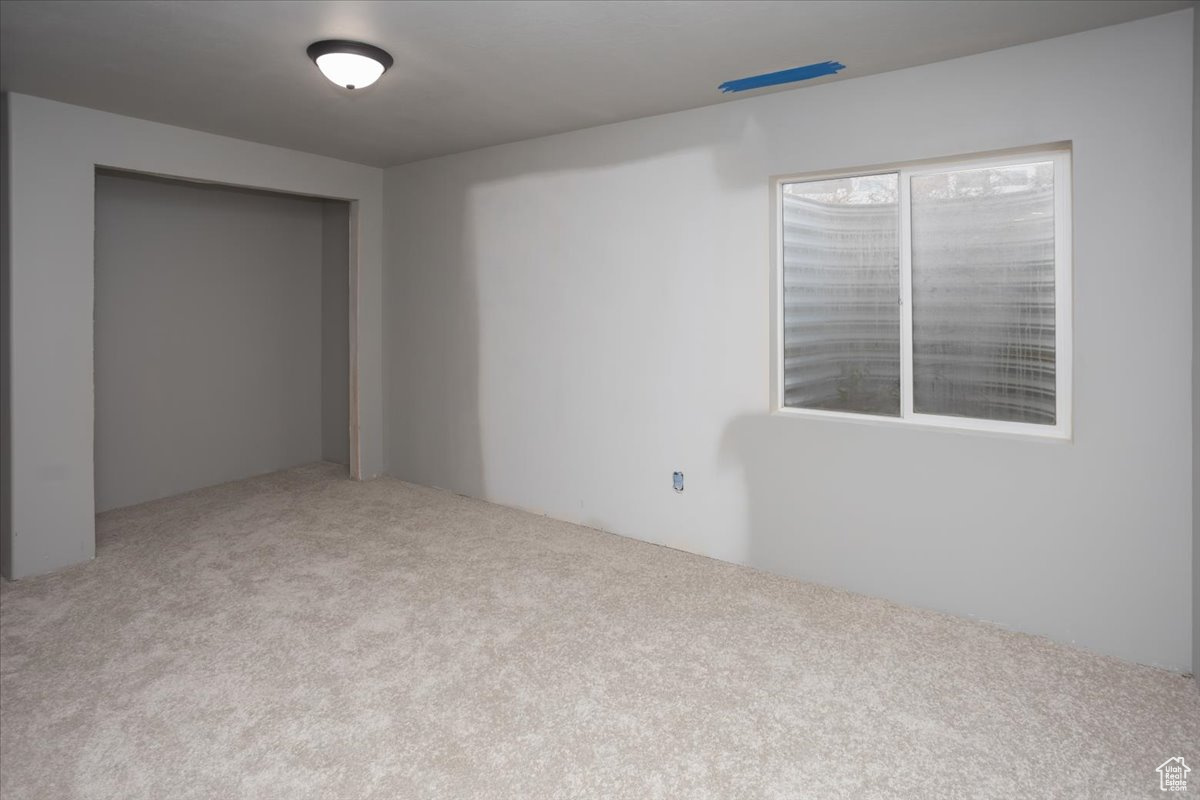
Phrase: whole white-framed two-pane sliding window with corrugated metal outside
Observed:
(934, 294)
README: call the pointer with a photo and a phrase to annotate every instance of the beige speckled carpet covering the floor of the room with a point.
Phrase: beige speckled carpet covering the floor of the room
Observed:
(303, 636)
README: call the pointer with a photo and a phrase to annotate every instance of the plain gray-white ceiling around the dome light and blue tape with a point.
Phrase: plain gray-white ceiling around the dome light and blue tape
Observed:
(471, 74)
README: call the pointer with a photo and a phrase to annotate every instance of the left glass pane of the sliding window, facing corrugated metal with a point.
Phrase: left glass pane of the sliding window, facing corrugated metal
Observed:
(842, 291)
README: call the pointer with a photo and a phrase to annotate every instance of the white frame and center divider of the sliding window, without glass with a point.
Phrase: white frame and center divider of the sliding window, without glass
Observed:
(1060, 157)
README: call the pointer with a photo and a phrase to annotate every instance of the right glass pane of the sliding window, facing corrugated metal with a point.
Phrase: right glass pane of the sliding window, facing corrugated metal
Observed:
(983, 294)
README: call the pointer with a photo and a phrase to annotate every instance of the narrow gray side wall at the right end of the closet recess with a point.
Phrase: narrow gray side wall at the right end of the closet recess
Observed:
(335, 333)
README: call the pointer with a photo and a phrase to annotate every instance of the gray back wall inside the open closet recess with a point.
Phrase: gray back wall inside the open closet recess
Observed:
(209, 328)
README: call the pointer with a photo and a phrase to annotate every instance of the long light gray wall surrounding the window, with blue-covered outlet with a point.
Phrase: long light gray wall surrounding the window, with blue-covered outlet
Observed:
(572, 320)
